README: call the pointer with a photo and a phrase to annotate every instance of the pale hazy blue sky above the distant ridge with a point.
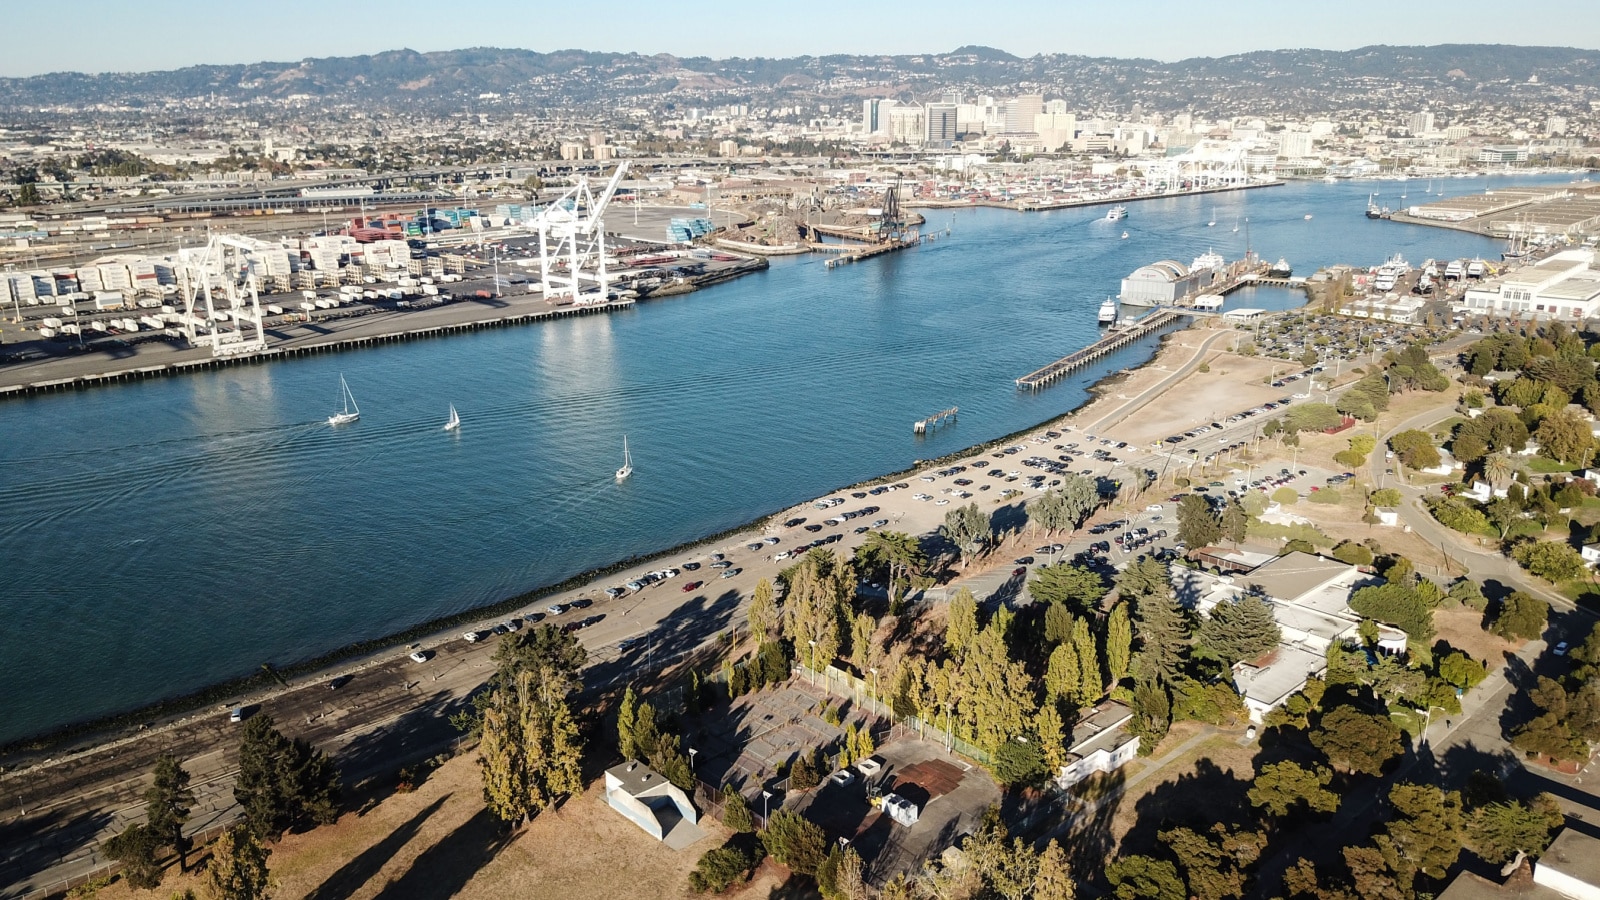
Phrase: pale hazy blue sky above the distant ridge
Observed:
(103, 36)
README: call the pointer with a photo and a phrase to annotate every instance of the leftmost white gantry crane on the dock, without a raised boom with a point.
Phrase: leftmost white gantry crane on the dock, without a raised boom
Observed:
(222, 295)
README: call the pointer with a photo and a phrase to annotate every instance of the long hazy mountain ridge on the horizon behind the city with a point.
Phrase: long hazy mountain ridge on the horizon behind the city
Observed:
(575, 78)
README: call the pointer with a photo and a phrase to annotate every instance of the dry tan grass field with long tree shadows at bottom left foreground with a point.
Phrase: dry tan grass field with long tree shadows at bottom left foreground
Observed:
(439, 843)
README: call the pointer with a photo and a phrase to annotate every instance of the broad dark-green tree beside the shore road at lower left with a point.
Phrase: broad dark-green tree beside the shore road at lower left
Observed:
(284, 784)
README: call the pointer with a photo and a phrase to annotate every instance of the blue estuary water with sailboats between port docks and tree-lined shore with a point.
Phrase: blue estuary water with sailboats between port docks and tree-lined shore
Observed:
(166, 536)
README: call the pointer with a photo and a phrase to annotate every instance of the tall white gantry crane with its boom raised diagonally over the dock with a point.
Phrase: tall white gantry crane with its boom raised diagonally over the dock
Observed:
(572, 244)
